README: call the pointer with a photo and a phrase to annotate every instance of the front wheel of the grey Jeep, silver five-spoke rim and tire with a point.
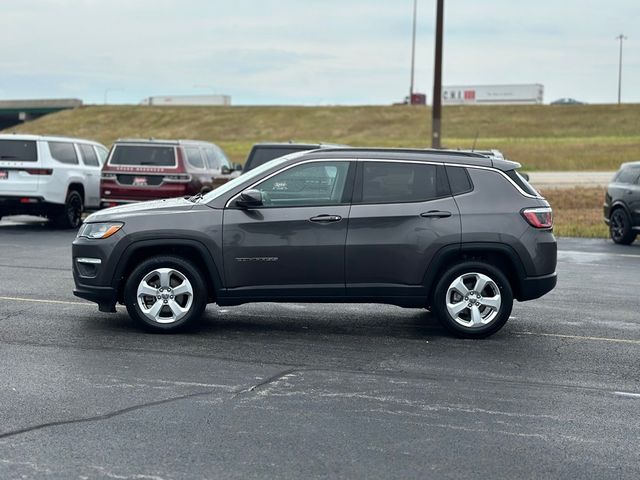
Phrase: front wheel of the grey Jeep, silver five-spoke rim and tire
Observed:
(165, 293)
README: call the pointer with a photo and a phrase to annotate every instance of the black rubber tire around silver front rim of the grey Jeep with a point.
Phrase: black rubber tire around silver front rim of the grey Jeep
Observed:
(182, 267)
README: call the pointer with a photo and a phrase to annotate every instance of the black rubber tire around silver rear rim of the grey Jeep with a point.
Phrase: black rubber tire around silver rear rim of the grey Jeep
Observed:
(439, 300)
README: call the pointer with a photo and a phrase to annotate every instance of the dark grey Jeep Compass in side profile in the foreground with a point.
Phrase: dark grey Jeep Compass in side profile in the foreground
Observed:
(459, 233)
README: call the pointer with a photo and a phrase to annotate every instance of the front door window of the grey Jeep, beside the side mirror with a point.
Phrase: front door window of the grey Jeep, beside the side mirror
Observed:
(317, 183)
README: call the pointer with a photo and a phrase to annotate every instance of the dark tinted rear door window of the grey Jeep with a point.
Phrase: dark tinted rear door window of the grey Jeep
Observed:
(396, 182)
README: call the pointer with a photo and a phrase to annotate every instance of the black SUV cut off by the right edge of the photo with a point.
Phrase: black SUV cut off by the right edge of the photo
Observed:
(622, 204)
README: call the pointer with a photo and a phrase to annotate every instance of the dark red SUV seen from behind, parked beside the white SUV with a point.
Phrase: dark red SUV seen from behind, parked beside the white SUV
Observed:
(139, 170)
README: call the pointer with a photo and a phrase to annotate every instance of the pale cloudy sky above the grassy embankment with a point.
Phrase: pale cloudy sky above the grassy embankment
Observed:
(311, 52)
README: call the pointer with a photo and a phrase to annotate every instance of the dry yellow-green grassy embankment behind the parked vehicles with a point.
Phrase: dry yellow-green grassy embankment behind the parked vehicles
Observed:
(542, 137)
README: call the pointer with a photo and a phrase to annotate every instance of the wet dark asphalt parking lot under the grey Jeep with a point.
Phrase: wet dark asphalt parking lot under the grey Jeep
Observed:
(328, 391)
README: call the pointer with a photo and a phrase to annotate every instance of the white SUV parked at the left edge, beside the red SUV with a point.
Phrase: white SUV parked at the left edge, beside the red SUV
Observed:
(53, 177)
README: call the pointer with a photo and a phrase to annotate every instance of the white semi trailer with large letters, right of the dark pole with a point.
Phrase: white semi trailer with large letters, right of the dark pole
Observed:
(531, 94)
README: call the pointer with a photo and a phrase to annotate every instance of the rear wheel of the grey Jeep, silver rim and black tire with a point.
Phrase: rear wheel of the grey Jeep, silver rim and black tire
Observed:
(473, 300)
